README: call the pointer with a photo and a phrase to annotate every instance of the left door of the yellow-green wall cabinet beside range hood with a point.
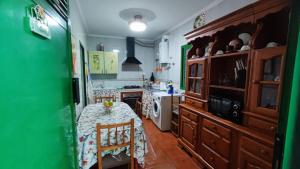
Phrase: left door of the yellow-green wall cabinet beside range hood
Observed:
(96, 62)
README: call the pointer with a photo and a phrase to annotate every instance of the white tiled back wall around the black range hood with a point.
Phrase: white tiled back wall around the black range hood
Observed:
(143, 54)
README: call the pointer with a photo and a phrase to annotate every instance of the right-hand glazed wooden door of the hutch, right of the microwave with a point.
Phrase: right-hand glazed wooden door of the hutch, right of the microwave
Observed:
(266, 81)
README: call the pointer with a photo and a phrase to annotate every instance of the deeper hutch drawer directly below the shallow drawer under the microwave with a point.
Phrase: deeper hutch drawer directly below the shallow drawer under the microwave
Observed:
(215, 142)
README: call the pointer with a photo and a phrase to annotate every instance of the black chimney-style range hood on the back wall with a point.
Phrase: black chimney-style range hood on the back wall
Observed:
(131, 59)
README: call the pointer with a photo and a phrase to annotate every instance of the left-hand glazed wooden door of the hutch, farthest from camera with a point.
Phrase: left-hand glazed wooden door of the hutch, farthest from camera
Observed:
(196, 78)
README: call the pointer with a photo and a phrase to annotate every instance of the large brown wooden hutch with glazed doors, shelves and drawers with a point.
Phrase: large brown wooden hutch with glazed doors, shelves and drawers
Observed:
(236, 61)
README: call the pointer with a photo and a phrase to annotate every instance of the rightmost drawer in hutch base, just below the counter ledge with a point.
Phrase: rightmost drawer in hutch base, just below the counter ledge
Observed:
(257, 149)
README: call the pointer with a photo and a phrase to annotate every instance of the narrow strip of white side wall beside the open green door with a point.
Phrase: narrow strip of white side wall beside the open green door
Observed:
(79, 33)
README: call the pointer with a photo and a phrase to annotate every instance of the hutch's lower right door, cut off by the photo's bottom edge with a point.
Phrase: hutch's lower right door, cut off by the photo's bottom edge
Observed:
(249, 161)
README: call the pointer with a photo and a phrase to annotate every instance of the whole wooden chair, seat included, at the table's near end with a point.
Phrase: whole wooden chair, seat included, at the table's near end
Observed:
(110, 162)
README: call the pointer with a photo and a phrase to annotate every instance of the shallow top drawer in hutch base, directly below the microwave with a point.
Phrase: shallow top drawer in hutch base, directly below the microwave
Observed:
(218, 129)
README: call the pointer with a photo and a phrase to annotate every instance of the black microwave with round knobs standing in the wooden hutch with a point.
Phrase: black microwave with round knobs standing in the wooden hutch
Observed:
(226, 108)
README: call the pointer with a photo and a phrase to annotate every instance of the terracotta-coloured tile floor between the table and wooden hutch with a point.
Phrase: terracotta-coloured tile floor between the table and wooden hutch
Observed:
(163, 152)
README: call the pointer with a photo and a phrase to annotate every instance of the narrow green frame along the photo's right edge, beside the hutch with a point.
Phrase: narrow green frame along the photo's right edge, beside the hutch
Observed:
(290, 118)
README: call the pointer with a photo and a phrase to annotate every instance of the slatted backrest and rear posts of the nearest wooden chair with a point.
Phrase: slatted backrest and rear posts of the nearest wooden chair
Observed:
(120, 140)
